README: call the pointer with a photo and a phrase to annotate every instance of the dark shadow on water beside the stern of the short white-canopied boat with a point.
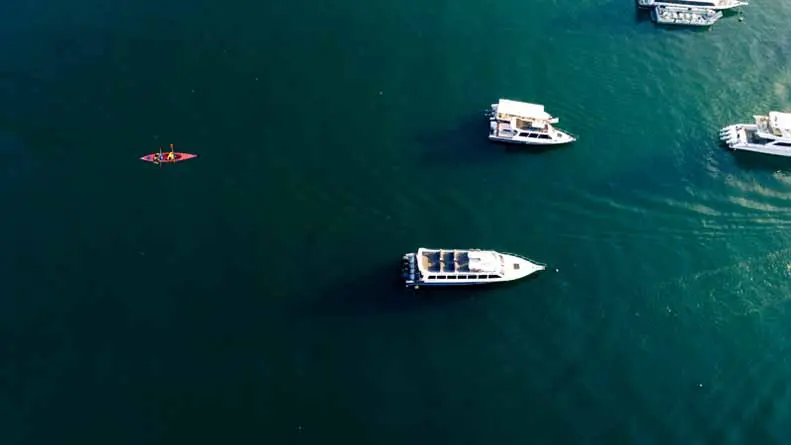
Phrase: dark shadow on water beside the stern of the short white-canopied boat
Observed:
(464, 143)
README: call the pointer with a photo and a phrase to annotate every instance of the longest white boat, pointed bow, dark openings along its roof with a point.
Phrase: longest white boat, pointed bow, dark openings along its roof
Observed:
(453, 267)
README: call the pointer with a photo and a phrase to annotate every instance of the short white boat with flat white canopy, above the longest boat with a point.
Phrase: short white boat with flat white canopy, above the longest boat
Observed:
(524, 123)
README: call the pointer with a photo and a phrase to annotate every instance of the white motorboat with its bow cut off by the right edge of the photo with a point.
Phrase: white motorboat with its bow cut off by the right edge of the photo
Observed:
(770, 134)
